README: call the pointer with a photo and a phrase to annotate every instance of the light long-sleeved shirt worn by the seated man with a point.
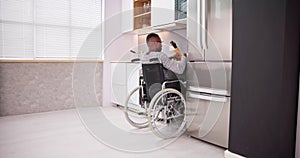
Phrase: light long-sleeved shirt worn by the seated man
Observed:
(170, 64)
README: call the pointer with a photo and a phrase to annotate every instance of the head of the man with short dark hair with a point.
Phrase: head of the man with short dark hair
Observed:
(154, 42)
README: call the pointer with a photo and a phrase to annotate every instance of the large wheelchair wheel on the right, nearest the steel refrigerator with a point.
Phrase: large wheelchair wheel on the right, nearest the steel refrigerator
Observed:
(167, 116)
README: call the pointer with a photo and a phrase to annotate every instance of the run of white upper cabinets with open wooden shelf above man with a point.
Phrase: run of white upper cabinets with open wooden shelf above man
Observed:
(155, 14)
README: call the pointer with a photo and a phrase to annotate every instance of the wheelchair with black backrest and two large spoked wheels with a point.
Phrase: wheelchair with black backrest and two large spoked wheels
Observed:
(157, 102)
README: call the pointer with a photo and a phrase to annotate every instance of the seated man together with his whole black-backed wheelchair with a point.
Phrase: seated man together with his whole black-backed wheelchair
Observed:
(161, 104)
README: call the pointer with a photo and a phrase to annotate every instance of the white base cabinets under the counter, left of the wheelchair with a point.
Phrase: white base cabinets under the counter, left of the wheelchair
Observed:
(125, 77)
